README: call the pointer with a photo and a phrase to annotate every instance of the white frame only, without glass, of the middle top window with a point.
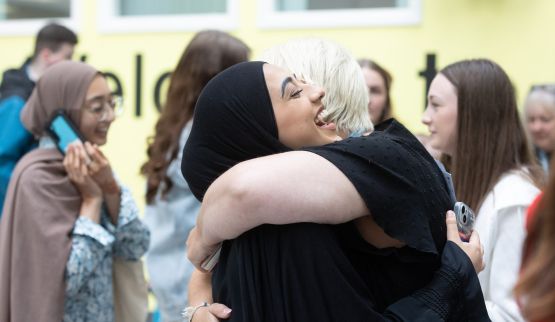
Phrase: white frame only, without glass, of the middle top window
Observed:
(109, 22)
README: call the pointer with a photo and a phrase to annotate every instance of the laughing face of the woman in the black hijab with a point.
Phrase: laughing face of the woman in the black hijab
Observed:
(297, 109)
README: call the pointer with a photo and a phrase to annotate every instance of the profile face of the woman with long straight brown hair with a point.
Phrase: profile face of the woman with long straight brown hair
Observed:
(441, 115)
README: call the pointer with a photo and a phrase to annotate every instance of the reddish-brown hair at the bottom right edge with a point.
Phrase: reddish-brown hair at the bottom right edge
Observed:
(536, 286)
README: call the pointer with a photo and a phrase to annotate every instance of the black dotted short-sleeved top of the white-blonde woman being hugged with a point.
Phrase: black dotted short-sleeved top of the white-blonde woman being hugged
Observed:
(400, 182)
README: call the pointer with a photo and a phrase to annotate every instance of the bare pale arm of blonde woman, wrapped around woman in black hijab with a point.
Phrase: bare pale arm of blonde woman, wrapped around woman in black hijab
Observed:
(300, 187)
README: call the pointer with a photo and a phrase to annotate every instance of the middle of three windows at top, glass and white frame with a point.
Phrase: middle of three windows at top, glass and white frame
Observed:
(166, 15)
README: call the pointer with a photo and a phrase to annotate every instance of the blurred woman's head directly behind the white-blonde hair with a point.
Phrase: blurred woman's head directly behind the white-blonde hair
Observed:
(378, 80)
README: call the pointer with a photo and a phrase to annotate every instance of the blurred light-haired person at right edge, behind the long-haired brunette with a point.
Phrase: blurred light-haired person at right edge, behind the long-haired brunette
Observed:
(539, 111)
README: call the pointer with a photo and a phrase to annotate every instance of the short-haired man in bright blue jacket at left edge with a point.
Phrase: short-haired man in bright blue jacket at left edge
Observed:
(53, 43)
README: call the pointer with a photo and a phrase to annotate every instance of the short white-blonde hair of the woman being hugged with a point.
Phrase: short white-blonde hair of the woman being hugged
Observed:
(331, 66)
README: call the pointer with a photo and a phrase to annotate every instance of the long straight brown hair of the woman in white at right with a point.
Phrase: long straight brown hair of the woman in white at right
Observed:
(490, 136)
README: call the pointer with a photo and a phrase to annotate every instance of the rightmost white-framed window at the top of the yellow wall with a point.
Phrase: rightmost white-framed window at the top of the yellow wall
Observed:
(332, 13)
